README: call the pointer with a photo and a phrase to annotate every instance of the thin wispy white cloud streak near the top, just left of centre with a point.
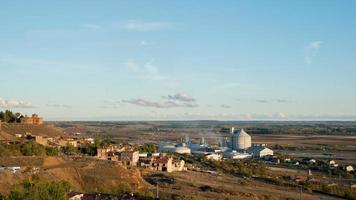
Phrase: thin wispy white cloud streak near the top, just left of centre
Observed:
(137, 25)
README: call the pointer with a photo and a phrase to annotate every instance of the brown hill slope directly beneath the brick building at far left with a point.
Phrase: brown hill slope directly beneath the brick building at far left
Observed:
(9, 130)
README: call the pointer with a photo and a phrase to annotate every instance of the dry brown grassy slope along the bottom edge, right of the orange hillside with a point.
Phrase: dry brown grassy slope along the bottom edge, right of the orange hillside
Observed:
(230, 187)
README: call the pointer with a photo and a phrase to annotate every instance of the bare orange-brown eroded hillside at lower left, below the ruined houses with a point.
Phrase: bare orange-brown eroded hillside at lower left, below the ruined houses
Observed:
(84, 174)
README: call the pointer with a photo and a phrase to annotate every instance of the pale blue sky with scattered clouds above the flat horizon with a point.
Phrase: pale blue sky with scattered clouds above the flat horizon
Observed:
(179, 60)
